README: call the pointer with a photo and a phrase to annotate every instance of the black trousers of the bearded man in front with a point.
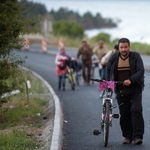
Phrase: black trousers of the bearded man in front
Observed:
(131, 120)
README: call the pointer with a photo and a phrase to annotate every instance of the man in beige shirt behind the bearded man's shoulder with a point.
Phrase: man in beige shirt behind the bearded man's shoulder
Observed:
(100, 51)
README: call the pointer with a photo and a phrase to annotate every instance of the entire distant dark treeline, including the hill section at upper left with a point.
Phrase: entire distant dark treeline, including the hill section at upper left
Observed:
(88, 20)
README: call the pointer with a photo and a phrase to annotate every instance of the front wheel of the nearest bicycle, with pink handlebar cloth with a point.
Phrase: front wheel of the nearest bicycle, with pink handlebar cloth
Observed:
(106, 124)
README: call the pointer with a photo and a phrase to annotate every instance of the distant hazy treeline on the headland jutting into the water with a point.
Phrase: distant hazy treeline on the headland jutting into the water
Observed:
(87, 20)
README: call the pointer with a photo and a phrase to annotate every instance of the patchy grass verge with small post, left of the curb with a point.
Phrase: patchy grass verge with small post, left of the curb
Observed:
(22, 121)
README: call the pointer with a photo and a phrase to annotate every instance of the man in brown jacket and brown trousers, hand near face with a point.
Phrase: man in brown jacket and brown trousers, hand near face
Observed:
(86, 52)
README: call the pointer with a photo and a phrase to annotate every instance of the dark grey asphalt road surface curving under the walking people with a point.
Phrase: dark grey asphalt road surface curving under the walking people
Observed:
(82, 109)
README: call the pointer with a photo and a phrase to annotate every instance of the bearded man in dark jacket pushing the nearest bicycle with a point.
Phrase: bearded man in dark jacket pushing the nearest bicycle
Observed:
(127, 66)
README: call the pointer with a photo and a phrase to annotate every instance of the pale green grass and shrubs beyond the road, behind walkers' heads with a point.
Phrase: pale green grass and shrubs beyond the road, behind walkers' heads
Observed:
(75, 43)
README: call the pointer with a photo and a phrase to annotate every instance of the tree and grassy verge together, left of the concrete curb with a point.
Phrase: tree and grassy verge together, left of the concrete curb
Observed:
(20, 116)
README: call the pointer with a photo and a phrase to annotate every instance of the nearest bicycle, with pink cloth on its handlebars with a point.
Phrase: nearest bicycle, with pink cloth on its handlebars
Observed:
(107, 106)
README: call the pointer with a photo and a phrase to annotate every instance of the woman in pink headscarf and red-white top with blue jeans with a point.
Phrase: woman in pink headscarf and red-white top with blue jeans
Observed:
(61, 69)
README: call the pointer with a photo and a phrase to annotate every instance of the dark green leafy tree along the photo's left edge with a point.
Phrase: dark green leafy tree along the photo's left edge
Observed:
(13, 24)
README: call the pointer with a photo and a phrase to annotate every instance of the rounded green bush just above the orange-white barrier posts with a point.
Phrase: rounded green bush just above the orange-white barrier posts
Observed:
(68, 28)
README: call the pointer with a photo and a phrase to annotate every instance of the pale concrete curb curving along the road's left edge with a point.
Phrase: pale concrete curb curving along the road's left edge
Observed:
(56, 143)
